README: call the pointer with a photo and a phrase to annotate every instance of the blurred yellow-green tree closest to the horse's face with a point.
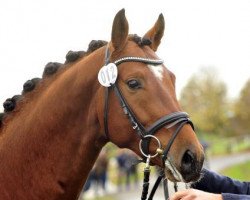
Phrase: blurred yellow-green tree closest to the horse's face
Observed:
(204, 98)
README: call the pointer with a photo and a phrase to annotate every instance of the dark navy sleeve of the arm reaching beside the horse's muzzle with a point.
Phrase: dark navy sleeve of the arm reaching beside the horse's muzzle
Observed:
(215, 183)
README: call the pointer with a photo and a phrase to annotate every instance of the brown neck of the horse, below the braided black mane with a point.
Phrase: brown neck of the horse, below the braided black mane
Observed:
(49, 148)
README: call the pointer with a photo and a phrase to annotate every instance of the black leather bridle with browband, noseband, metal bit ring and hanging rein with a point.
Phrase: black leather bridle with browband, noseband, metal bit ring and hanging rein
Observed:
(145, 133)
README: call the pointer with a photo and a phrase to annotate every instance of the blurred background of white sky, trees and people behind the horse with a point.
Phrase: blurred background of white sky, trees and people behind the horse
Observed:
(206, 45)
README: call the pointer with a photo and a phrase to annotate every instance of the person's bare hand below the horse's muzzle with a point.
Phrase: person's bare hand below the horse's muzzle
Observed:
(193, 194)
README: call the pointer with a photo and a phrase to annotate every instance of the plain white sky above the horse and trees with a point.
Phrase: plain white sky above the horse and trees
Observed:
(199, 33)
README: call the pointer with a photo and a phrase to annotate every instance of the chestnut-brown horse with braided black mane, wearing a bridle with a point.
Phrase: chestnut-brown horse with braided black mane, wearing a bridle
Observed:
(119, 92)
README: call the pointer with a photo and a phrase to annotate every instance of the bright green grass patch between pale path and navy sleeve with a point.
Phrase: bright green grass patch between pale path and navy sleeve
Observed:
(238, 171)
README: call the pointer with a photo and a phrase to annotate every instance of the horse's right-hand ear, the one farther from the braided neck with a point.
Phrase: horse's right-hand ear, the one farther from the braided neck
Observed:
(156, 32)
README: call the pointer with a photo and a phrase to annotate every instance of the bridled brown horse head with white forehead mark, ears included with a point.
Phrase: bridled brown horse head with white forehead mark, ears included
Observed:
(139, 109)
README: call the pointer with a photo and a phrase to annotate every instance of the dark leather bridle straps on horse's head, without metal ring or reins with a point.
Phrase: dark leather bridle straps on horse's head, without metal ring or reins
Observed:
(170, 120)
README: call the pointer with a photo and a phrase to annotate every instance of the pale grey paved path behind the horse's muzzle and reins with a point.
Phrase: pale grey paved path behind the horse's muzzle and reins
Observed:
(215, 164)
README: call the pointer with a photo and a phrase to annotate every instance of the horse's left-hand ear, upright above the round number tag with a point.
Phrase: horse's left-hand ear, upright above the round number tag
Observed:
(119, 30)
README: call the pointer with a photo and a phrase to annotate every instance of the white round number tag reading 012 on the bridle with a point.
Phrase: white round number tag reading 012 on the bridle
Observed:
(108, 75)
